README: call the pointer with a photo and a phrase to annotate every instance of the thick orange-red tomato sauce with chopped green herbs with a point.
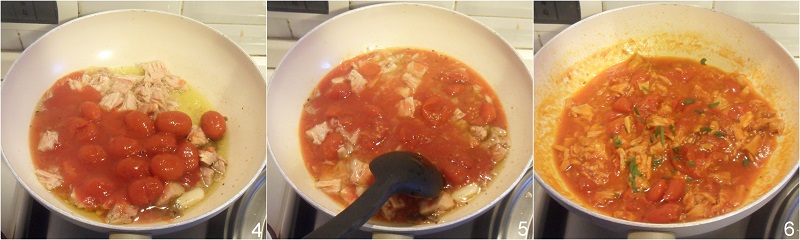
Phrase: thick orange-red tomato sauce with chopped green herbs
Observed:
(665, 140)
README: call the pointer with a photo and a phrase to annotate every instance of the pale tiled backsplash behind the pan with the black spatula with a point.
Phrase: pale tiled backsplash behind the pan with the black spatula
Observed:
(511, 20)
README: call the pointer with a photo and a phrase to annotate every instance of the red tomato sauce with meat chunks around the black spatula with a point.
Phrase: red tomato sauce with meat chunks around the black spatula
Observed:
(449, 99)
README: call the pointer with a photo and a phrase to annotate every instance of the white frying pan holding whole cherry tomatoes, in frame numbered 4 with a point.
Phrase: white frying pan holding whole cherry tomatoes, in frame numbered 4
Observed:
(209, 61)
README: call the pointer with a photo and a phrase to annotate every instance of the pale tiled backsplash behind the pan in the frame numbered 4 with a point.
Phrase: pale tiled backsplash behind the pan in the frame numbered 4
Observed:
(243, 22)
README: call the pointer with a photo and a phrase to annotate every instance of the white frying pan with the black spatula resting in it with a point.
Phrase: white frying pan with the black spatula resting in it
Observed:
(399, 25)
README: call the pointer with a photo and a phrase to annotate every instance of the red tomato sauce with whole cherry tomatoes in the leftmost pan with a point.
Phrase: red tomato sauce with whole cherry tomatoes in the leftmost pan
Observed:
(108, 157)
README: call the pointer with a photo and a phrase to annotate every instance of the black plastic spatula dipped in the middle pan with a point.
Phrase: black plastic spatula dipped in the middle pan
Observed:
(395, 172)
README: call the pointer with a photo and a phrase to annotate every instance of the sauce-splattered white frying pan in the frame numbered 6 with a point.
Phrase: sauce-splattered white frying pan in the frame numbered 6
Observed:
(598, 42)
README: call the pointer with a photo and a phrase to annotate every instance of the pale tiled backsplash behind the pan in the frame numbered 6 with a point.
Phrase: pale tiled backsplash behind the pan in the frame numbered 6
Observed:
(779, 19)
